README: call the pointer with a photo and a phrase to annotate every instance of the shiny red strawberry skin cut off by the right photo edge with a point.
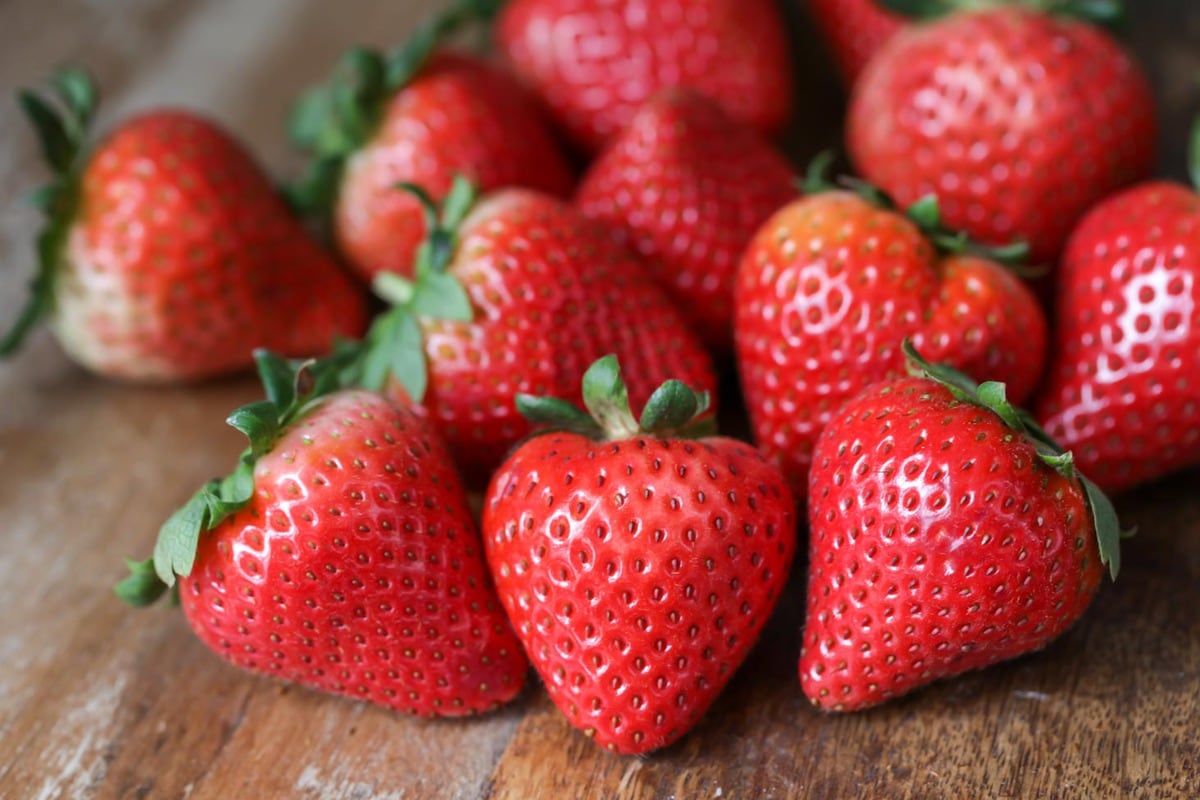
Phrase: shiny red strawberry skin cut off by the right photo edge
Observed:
(1124, 386)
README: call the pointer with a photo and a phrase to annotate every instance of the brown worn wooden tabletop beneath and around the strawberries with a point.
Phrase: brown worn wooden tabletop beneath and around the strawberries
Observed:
(99, 701)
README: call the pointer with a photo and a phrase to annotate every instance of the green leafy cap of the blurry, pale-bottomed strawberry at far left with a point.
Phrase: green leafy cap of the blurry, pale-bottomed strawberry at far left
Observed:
(62, 117)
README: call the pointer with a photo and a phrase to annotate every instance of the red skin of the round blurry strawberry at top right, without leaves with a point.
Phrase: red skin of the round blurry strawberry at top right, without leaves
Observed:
(1019, 122)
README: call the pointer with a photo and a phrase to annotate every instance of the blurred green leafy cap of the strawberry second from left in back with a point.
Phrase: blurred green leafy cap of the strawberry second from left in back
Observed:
(333, 122)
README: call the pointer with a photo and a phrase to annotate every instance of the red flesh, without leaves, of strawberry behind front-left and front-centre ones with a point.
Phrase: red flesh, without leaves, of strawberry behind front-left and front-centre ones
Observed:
(551, 294)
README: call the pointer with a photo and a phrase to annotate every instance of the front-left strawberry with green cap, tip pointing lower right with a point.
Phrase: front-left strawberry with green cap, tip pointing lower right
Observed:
(340, 555)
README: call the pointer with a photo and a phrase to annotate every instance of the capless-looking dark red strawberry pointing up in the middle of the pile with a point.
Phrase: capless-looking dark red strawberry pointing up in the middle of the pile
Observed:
(687, 188)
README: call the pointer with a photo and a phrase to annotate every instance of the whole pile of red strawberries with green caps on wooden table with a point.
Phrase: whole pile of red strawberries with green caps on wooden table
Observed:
(571, 240)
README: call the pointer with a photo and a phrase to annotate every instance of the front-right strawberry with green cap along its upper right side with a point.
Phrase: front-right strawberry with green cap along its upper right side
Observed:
(949, 533)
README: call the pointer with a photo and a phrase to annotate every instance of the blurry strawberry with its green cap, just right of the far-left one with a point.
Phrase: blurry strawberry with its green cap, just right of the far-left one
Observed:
(421, 116)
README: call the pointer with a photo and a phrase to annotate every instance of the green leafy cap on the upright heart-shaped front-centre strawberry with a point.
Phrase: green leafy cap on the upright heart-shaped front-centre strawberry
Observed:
(675, 411)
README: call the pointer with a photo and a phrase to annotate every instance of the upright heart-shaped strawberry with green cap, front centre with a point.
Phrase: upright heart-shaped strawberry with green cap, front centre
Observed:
(638, 567)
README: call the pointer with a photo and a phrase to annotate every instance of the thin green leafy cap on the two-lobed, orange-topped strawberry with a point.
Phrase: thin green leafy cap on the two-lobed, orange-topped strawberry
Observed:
(926, 214)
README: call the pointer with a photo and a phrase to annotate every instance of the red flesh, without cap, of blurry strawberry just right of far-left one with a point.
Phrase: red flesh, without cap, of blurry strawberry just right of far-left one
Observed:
(459, 117)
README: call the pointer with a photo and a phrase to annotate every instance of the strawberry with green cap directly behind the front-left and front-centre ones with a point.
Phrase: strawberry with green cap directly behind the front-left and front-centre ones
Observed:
(518, 294)
